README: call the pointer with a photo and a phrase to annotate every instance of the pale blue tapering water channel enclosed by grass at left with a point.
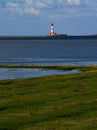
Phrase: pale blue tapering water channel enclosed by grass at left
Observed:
(12, 73)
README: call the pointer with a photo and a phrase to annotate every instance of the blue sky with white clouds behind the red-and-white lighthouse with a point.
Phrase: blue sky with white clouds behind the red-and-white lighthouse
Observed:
(34, 17)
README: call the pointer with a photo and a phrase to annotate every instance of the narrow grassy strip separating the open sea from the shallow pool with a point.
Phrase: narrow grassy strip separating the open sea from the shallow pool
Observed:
(53, 66)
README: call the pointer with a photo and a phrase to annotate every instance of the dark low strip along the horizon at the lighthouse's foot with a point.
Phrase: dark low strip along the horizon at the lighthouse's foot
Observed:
(47, 37)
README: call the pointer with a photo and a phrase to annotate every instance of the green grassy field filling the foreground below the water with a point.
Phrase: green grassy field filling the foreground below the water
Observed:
(57, 102)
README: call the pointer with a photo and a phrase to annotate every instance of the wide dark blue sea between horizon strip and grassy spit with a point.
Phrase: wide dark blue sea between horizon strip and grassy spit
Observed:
(80, 52)
